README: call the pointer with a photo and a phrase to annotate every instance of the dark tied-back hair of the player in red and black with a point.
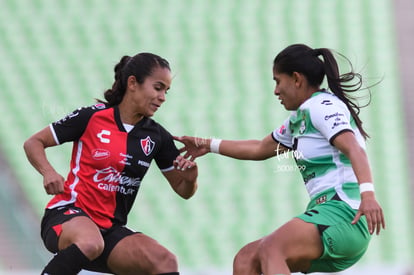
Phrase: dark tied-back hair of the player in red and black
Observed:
(140, 66)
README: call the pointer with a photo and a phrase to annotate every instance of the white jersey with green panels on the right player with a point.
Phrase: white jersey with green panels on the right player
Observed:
(309, 131)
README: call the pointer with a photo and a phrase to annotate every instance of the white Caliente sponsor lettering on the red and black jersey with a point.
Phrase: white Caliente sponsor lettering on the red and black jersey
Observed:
(111, 180)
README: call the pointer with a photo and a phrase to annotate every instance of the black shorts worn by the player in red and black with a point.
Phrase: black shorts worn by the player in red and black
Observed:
(51, 227)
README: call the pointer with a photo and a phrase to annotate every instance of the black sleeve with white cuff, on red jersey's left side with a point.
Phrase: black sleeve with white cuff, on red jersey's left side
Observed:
(72, 126)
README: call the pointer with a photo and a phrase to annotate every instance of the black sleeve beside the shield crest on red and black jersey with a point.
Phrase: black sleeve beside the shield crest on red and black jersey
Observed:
(168, 152)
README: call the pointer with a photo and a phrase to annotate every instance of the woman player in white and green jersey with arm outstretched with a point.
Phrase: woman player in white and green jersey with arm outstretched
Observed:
(328, 141)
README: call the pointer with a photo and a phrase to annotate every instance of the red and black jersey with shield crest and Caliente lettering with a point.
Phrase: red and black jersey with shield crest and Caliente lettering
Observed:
(108, 163)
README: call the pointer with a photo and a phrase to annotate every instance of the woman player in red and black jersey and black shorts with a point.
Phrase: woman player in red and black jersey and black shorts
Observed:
(114, 143)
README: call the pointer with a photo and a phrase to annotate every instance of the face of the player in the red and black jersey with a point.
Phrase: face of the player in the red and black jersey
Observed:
(152, 93)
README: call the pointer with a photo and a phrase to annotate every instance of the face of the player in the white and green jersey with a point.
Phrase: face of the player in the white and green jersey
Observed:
(287, 91)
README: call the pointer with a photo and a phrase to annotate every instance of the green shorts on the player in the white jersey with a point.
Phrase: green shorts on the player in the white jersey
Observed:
(344, 243)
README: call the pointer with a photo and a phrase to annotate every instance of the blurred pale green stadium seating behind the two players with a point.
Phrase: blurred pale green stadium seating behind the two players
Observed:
(56, 56)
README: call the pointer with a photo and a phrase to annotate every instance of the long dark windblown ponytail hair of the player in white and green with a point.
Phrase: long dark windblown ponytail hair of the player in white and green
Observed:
(303, 59)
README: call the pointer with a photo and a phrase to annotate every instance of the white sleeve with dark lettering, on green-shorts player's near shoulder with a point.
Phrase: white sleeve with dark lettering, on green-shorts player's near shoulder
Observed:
(331, 118)
